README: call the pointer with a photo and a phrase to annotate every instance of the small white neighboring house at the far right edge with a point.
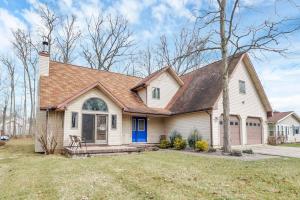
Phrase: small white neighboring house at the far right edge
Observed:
(285, 124)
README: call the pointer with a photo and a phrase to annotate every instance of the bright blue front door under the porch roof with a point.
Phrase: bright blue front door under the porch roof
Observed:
(139, 129)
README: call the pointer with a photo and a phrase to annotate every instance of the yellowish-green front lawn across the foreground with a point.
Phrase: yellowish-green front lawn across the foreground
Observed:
(150, 175)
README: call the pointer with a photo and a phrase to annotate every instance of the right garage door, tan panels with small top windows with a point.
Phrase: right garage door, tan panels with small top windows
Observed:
(254, 130)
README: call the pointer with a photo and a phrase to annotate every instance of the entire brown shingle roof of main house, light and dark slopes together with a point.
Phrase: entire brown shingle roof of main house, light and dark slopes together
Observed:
(199, 91)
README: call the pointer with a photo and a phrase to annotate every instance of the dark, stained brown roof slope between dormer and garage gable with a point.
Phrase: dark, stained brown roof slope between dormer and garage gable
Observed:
(201, 89)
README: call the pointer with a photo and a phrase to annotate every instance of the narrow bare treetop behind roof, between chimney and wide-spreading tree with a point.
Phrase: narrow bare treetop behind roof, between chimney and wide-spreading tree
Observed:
(66, 41)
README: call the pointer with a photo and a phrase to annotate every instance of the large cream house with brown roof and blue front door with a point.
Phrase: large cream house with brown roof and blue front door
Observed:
(115, 109)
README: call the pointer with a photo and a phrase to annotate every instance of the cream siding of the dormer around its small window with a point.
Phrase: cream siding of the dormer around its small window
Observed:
(168, 88)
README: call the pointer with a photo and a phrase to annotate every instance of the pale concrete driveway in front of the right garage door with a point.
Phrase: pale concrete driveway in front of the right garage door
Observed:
(293, 152)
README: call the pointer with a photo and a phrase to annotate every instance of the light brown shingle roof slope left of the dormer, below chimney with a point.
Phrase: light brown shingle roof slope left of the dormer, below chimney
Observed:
(65, 81)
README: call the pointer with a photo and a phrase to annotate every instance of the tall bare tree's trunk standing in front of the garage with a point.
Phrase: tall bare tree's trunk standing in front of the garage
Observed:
(226, 108)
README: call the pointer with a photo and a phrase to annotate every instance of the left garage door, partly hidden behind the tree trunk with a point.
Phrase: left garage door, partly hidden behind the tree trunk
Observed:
(234, 130)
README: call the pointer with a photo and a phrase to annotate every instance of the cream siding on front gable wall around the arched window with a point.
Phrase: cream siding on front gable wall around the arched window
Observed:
(114, 135)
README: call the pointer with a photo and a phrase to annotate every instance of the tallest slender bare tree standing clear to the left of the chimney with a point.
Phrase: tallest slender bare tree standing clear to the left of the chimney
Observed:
(26, 52)
